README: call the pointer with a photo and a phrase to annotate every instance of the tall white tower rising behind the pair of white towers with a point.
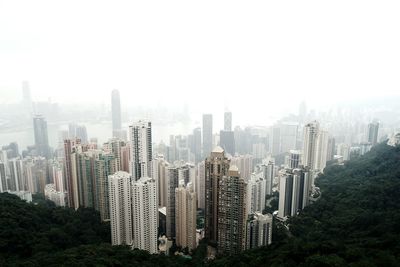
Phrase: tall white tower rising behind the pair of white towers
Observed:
(141, 150)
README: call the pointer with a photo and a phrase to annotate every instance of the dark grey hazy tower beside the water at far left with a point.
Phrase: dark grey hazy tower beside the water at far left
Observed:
(41, 138)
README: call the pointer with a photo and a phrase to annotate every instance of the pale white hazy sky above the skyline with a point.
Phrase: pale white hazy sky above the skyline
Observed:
(249, 56)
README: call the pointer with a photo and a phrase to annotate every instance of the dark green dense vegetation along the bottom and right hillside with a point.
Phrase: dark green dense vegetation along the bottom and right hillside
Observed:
(356, 222)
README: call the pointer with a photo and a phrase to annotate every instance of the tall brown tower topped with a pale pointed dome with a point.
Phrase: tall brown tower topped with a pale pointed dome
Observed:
(216, 166)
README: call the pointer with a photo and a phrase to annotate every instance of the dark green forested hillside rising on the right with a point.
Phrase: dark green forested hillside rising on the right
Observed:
(356, 222)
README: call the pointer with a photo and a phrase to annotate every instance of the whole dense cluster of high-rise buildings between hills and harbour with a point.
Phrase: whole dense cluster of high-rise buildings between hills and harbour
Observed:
(154, 195)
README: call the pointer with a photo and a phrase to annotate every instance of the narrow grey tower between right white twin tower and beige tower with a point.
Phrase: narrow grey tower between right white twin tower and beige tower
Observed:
(172, 183)
